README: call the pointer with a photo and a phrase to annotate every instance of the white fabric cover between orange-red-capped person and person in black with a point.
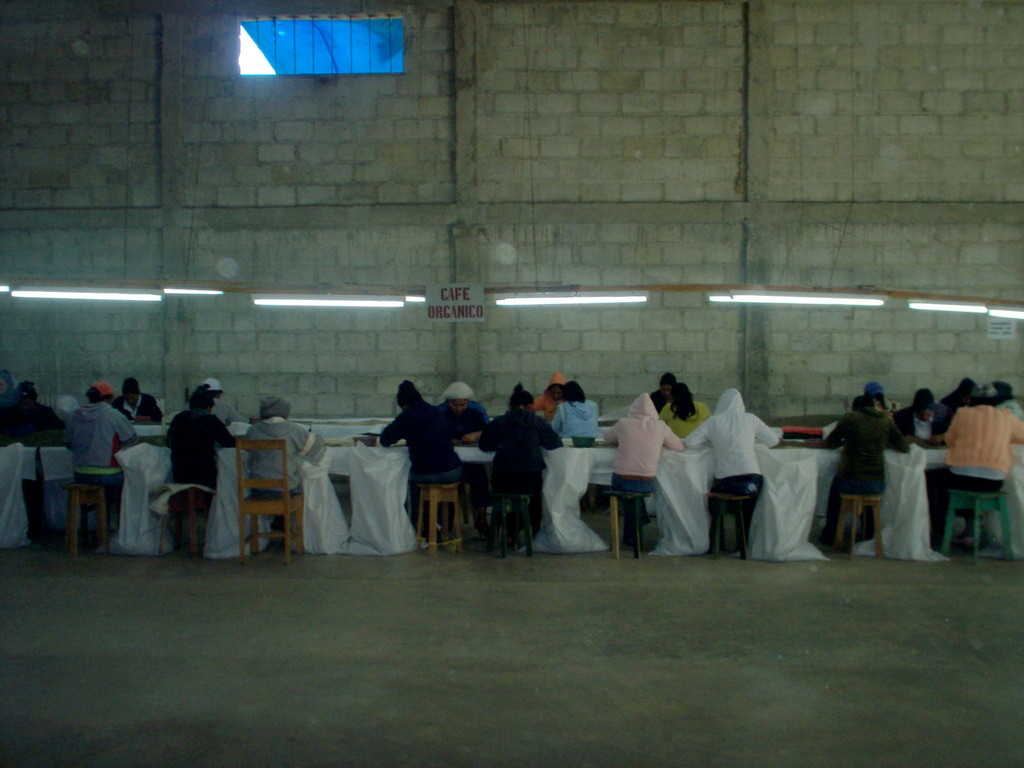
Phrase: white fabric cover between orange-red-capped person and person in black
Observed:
(146, 467)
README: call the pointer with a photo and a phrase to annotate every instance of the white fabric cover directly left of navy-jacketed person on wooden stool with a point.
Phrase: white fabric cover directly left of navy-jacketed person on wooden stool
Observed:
(380, 485)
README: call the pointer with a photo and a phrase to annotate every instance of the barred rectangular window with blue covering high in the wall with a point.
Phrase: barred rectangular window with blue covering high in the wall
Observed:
(322, 47)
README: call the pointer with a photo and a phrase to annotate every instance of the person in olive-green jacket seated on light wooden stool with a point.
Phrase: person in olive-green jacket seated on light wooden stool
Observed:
(864, 434)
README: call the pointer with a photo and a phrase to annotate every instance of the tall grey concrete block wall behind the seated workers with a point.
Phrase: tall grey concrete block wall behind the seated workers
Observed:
(608, 144)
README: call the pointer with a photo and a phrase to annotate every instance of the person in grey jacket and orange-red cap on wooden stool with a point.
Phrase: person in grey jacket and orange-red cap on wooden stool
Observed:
(95, 435)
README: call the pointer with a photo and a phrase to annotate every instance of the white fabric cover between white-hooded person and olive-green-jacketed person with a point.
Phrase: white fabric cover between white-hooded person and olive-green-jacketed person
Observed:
(785, 513)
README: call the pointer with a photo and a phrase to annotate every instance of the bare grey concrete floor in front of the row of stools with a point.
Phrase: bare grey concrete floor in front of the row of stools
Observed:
(471, 661)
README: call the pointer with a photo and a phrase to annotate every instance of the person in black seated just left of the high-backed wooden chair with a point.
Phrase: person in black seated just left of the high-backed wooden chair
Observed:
(193, 438)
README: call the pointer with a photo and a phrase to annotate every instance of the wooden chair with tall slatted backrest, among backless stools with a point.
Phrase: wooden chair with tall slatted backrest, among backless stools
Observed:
(252, 508)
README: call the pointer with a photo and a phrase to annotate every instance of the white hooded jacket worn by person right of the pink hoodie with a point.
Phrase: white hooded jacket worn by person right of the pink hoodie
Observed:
(733, 433)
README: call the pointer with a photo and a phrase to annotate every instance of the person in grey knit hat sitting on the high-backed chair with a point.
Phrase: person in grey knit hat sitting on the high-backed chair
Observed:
(302, 445)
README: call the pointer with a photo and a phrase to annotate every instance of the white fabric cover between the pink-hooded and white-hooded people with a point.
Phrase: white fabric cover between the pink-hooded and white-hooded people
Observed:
(680, 503)
